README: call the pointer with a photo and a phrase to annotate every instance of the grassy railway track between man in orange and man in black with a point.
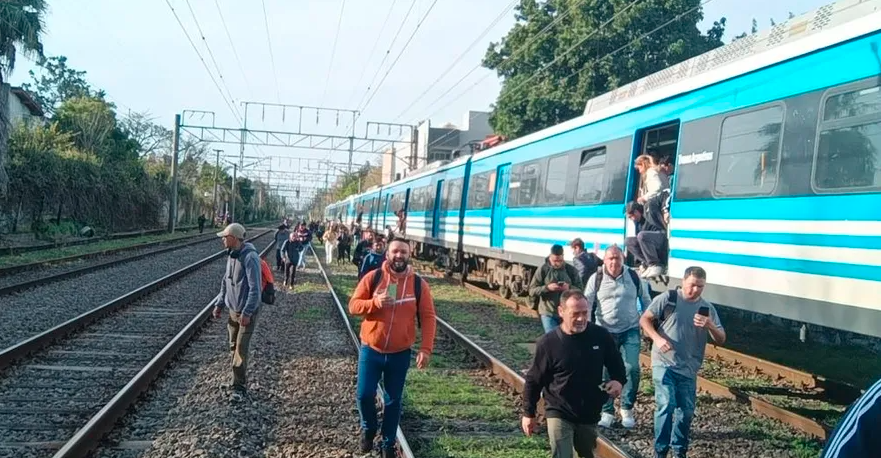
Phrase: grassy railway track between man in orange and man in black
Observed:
(467, 403)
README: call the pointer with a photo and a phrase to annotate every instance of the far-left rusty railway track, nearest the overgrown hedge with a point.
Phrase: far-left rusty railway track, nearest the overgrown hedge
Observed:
(30, 275)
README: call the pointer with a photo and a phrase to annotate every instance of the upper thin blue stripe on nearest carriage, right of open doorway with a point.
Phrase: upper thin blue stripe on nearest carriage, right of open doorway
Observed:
(836, 241)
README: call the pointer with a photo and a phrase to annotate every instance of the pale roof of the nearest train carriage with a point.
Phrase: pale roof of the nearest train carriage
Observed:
(826, 26)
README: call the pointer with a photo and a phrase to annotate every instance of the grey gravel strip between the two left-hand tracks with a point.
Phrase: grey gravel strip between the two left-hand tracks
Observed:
(40, 308)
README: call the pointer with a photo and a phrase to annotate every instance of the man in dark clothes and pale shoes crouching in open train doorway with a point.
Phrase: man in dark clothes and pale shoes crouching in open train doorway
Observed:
(649, 247)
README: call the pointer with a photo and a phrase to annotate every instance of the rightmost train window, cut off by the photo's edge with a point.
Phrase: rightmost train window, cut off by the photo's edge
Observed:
(849, 148)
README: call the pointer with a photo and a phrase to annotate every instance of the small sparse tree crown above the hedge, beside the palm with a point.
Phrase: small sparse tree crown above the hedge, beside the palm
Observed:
(58, 83)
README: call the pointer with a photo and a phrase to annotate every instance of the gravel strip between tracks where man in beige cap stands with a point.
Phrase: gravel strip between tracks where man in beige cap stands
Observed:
(301, 401)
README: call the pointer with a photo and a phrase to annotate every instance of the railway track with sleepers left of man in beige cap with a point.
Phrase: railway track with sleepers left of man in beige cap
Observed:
(74, 385)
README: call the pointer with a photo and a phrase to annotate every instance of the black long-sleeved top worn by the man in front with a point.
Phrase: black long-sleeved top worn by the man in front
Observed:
(569, 369)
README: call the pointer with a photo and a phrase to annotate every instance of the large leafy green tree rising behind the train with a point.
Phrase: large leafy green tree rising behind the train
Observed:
(577, 58)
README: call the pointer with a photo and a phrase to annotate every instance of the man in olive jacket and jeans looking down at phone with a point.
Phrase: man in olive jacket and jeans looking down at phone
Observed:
(550, 281)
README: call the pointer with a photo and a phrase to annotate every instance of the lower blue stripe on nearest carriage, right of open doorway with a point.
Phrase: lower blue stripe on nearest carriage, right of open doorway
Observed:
(833, 269)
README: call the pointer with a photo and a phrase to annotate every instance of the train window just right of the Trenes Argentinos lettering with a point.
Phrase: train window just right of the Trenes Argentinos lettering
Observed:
(749, 152)
